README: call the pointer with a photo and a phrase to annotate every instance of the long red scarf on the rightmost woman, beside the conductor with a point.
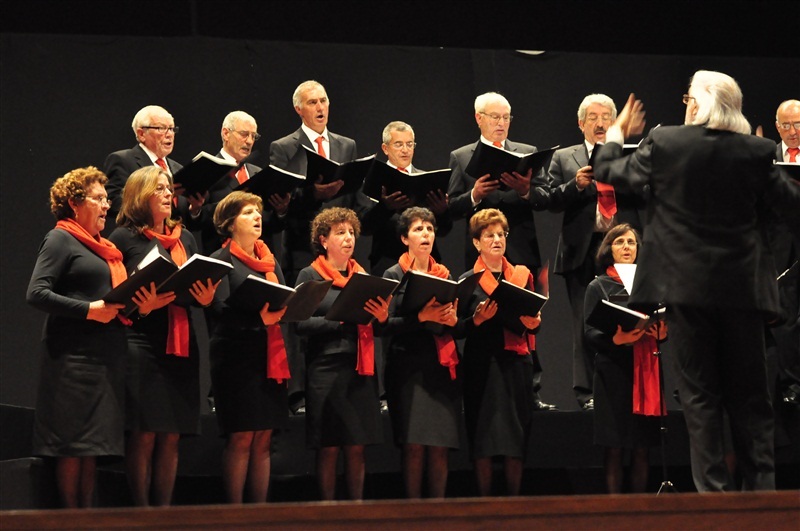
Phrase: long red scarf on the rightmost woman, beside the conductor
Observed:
(646, 385)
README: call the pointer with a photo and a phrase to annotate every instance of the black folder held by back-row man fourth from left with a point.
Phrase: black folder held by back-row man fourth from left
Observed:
(415, 186)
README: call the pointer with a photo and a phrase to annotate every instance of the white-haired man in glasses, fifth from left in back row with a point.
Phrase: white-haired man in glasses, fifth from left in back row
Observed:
(469, 194)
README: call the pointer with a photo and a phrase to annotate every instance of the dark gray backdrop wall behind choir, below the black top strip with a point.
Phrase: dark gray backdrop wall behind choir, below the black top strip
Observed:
(68, 101)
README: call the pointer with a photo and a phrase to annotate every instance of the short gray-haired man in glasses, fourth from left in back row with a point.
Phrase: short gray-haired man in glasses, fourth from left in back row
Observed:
(399, 143)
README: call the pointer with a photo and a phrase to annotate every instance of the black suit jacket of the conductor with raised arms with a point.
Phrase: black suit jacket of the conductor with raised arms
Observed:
(705, 245)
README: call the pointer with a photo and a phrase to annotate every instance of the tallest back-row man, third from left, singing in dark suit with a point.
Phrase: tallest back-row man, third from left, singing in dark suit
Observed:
(311, 103)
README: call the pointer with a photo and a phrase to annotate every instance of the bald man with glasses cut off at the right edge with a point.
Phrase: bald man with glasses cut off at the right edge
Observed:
(786, 336)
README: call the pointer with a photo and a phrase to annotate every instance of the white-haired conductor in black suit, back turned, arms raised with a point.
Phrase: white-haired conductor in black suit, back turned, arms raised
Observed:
(704, 256)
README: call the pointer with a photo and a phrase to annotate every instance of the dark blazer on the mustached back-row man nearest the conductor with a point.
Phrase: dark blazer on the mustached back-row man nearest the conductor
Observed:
(580, 207)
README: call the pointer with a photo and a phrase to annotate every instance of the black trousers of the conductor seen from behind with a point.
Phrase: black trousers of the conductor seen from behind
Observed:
(720, 363)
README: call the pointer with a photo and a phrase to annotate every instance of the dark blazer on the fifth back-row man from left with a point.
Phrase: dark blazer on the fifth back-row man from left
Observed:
(522, 246)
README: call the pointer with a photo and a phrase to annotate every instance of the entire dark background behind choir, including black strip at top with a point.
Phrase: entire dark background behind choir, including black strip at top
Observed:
(69, 90)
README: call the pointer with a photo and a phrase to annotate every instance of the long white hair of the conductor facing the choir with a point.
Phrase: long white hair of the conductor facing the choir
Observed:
(719, 102)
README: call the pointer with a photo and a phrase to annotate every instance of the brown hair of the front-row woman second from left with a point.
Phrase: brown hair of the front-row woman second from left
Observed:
(139, 188)
